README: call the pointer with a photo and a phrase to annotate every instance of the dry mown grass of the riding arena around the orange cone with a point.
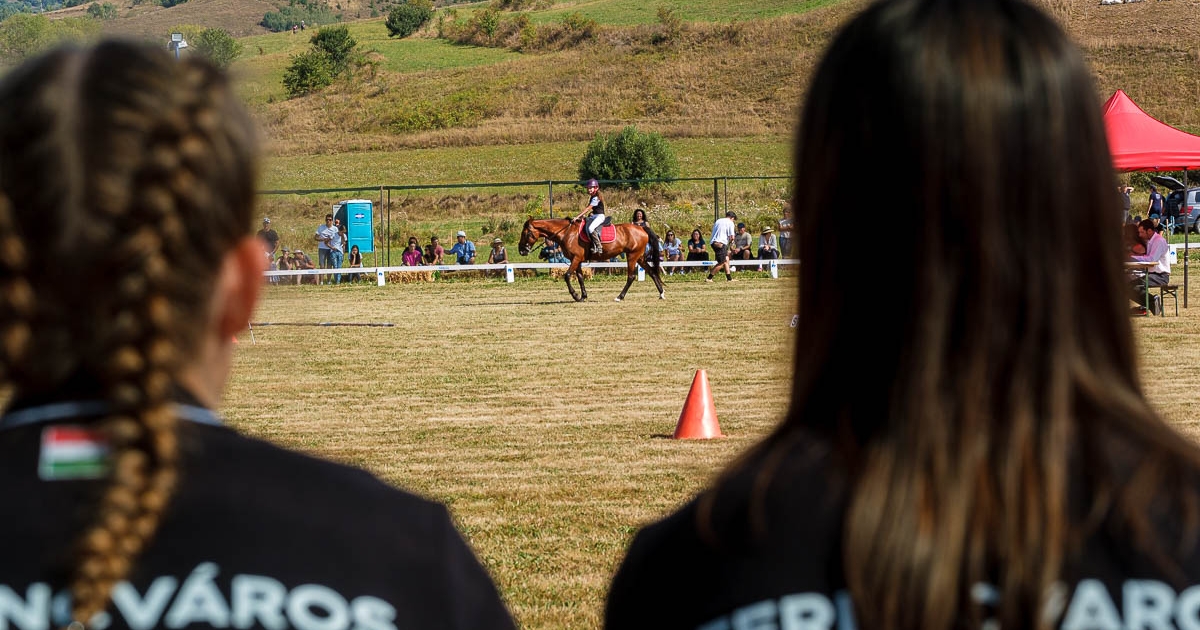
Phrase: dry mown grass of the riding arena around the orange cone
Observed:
(543, 424)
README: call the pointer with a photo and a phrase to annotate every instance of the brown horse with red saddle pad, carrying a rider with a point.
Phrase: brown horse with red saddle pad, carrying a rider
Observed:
(631, 241)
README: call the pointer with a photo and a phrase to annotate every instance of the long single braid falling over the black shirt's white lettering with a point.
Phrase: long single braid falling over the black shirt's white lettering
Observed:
(145, 350)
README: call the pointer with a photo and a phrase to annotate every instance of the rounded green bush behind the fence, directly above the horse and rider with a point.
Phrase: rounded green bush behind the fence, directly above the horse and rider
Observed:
(629, 155)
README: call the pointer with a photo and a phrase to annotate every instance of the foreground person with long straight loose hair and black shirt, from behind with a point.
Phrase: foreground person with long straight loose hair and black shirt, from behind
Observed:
(994, 461)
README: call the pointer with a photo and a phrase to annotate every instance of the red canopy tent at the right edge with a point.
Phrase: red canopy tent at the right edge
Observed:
(1138, 142)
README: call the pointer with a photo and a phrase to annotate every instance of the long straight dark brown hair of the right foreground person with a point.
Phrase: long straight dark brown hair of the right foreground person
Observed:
(994, 351)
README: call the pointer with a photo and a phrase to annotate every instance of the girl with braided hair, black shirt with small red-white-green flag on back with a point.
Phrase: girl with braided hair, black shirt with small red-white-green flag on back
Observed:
(127, 503)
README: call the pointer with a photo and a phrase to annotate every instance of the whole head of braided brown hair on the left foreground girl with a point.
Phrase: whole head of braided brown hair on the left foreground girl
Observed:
(129, 176)
